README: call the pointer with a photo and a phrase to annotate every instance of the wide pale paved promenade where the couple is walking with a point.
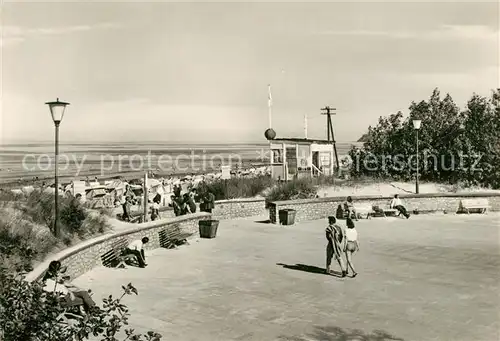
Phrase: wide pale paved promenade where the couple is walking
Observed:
(426, 278)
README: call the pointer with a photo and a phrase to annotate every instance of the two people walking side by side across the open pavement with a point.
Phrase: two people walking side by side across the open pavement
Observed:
(340, 242)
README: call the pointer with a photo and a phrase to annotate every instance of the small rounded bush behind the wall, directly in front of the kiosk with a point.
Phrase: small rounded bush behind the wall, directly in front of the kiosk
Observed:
(291, 190)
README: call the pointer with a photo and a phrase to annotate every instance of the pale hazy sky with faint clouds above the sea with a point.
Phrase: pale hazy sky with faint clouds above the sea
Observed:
(199, 72)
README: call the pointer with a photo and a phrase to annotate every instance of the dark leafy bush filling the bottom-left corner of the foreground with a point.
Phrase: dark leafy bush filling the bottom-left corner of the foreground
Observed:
(29, 313)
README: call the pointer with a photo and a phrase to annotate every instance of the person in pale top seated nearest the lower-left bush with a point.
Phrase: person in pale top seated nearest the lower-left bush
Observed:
(72, 293)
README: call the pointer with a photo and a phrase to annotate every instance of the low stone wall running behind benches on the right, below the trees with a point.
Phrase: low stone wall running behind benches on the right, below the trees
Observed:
(310, 209)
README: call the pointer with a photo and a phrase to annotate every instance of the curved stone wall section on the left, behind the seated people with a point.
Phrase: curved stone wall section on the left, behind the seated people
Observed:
(87, 255)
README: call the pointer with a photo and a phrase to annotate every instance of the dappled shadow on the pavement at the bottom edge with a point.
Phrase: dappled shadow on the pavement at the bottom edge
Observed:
(332, 333)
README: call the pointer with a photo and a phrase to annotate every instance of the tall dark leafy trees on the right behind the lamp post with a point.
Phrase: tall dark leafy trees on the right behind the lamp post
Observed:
(454, 145)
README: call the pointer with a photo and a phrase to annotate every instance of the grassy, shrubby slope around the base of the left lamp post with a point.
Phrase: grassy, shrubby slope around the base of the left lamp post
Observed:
(26, 224)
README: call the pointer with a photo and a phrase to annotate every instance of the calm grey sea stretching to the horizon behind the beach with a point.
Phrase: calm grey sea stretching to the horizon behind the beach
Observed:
(23, 162)
